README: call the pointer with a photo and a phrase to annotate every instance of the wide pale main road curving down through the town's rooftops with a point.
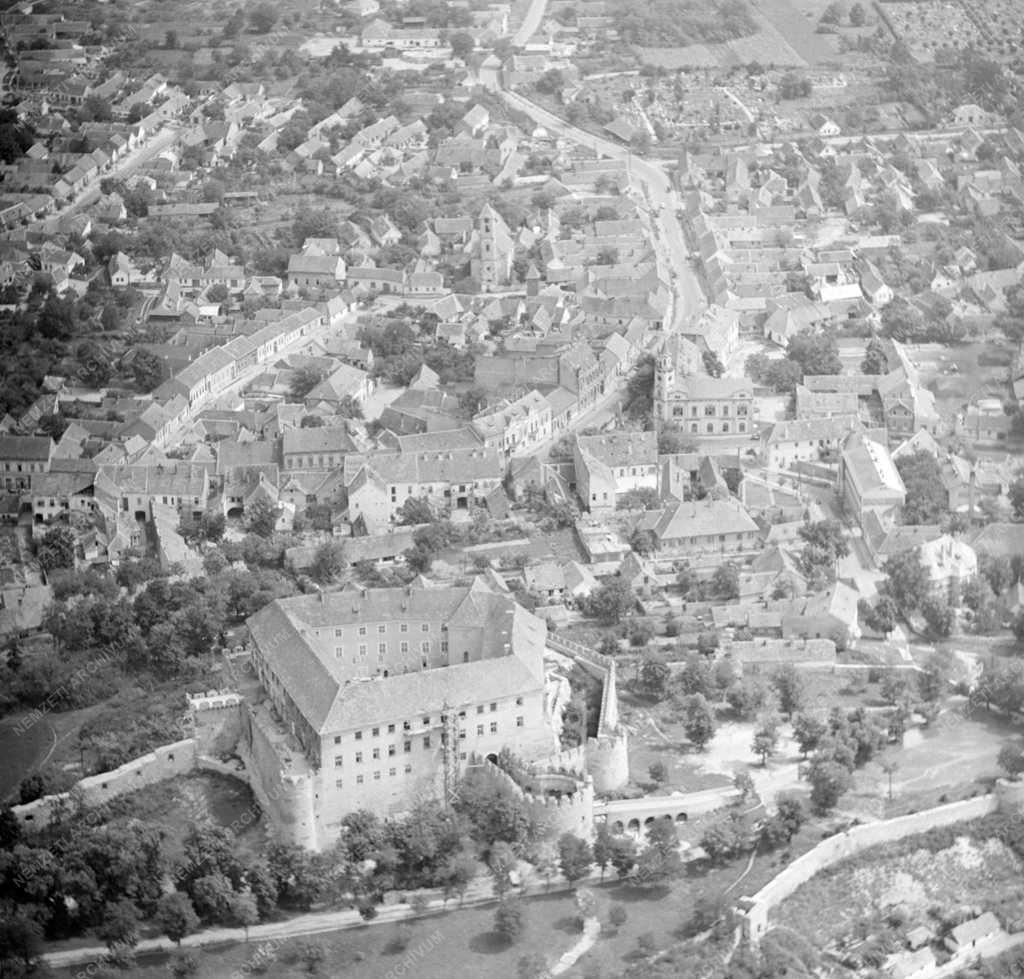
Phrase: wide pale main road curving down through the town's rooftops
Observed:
(657, 187)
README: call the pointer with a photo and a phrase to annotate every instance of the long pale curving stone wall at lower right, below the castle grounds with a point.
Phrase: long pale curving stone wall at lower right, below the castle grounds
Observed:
(844, 845)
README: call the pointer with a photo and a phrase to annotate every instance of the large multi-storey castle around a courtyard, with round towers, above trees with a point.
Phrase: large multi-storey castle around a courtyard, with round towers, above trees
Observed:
(376, 699)
